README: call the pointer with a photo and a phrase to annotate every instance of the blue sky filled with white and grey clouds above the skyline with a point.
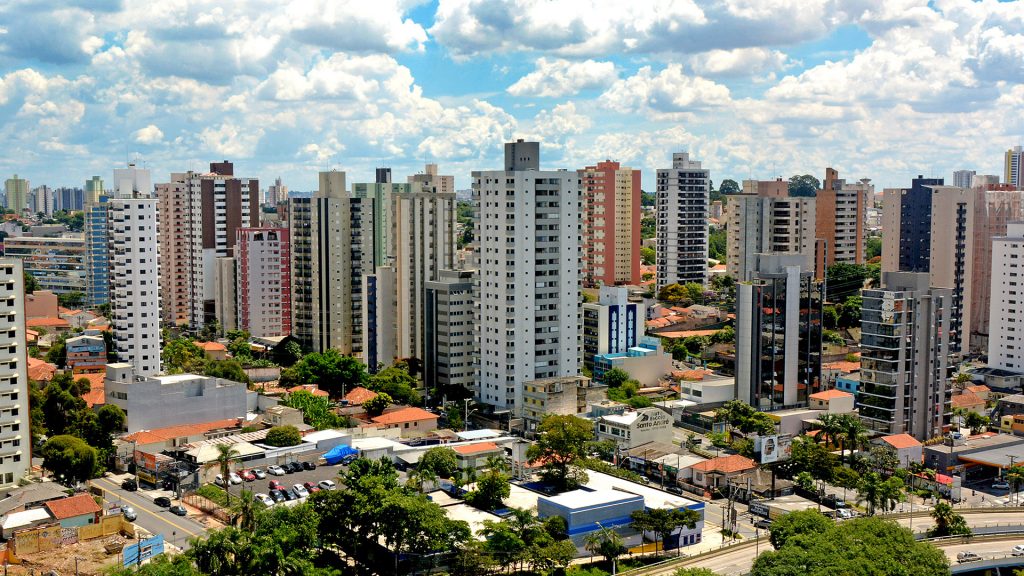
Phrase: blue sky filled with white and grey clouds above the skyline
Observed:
(885, 90)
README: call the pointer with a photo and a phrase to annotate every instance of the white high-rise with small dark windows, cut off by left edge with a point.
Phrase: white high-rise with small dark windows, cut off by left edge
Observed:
(16, 450)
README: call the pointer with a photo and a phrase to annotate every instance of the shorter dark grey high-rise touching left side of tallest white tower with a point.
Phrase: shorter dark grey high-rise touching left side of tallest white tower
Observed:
(449, 363)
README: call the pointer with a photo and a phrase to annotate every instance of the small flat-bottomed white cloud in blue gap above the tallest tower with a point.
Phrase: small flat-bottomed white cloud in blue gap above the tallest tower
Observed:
(561, 78)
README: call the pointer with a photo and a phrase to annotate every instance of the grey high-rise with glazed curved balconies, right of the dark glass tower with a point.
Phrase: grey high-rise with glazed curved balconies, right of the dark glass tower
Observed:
(905, 362)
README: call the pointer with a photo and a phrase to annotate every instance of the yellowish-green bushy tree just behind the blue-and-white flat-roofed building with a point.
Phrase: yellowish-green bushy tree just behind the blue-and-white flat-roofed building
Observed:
(561, 447)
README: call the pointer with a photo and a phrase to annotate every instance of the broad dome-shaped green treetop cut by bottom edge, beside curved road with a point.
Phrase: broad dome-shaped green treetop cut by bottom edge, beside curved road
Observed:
(861, 547)
